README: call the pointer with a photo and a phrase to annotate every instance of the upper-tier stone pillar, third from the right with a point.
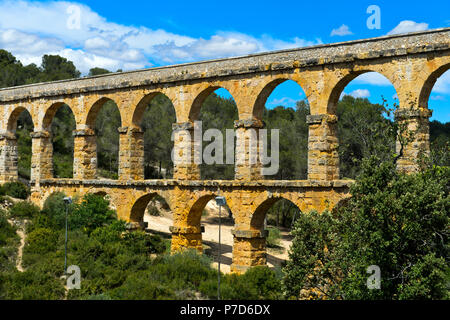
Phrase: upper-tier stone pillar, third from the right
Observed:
(248, 165)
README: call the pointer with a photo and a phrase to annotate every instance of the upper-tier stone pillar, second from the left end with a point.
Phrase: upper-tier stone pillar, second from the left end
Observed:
(42, 156)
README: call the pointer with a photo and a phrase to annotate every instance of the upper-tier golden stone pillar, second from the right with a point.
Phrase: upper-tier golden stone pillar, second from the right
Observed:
(323, 156)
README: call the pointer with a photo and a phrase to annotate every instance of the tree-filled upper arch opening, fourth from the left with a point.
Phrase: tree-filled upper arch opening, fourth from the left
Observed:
(155, 115)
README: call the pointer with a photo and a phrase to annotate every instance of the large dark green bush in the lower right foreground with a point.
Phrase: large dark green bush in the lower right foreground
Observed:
(398, 222)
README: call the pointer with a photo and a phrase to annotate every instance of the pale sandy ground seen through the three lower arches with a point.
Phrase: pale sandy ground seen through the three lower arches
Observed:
(275, 257)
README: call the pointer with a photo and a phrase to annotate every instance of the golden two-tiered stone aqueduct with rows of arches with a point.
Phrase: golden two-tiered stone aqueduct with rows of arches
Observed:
(412, 62)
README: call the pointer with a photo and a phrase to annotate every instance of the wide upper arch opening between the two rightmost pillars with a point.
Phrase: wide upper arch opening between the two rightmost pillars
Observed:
(364, 103)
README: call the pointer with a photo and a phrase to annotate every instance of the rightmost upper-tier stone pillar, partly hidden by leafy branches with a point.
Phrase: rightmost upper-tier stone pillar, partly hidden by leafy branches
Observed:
(415, 122)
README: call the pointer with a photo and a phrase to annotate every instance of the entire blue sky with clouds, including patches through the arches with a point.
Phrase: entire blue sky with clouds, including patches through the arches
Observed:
(140, 34)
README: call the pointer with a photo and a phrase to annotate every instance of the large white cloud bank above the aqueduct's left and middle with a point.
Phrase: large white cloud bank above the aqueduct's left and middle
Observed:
(43, 29)
